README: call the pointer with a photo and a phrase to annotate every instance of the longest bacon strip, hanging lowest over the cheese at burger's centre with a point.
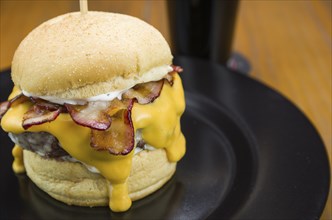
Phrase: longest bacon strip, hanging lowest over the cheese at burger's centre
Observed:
(119, 138)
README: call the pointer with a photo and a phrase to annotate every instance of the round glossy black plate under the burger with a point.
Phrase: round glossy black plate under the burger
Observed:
(251, 154)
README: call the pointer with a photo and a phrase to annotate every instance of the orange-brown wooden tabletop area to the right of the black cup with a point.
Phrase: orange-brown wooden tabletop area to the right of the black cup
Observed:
(289, 46)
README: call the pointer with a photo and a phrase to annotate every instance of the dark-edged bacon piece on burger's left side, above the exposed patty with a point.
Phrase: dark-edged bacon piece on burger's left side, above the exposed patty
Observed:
(37, 115)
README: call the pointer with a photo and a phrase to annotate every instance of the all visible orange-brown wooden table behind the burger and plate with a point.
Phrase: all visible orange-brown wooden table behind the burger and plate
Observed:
(288, 44)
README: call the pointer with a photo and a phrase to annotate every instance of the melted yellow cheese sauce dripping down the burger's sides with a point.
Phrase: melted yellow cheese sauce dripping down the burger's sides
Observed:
(159, 123)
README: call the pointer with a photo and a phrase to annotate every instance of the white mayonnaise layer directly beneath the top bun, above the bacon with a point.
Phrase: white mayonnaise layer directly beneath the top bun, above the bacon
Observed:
(154, 74)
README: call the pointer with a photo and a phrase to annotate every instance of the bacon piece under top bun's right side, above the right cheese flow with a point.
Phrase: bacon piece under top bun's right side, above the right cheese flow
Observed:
(145, 92)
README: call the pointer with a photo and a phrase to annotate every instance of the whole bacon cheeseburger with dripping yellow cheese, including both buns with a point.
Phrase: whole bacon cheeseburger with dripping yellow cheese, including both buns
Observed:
(95, 110)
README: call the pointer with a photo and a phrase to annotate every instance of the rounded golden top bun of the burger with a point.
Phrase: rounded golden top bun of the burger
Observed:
(75, 55)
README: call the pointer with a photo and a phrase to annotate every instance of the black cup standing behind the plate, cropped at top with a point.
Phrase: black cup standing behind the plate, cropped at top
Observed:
(202, 28)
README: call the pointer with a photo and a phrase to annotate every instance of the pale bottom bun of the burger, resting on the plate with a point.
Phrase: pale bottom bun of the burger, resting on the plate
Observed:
(74, 184)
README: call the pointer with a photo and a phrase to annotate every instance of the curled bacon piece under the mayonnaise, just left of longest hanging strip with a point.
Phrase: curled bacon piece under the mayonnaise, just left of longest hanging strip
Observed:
(91, 115)
